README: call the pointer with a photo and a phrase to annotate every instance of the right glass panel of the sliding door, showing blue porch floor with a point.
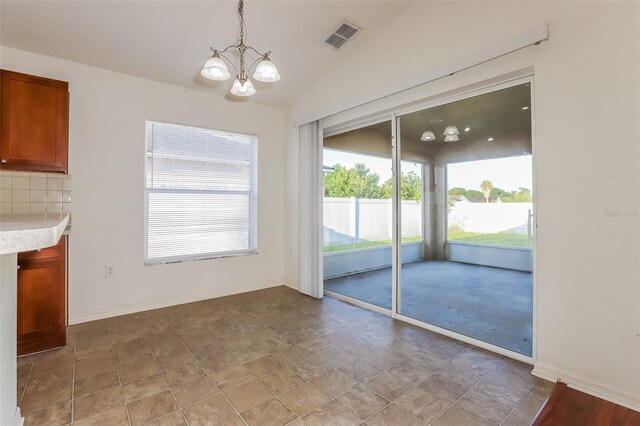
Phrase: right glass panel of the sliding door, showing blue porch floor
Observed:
(470, 272)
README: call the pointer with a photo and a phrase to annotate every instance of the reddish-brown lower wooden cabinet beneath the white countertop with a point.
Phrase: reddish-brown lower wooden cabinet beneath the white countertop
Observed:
(42, 316)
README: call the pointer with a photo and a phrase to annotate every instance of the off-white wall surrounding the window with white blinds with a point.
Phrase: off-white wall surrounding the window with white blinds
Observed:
(106, 159)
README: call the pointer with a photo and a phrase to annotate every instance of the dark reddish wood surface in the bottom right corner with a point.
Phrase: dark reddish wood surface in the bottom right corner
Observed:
(568, 407)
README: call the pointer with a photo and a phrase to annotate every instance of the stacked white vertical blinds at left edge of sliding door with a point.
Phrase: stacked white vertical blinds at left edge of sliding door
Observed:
(310, 198)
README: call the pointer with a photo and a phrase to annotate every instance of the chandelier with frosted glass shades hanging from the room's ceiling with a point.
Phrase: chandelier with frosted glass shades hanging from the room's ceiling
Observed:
(216, 69)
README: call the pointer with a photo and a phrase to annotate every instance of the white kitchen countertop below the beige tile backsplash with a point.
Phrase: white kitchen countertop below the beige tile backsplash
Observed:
(30, 231)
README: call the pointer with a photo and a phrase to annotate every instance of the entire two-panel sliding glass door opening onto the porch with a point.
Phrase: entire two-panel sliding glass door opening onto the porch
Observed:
(437, 228)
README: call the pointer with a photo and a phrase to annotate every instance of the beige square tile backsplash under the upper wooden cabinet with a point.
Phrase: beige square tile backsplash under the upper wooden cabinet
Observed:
(34, 192)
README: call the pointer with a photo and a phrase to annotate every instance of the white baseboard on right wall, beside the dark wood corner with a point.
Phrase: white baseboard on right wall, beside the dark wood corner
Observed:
(587, 386)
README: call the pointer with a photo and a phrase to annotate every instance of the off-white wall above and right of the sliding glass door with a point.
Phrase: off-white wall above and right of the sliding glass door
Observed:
(586, 142)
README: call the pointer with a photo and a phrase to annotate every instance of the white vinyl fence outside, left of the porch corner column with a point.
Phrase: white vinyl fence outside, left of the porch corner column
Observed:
(350, 220)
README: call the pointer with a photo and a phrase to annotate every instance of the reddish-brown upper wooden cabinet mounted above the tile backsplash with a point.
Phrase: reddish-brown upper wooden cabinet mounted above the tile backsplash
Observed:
(35, 123)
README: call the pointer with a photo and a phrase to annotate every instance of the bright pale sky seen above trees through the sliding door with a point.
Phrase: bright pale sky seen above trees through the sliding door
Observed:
(508, 174)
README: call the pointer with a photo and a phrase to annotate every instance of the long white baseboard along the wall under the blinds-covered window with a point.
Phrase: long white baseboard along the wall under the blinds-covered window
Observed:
(131, 309)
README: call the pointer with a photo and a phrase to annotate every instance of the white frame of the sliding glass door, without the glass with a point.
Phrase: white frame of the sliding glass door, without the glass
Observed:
(395, 116)
